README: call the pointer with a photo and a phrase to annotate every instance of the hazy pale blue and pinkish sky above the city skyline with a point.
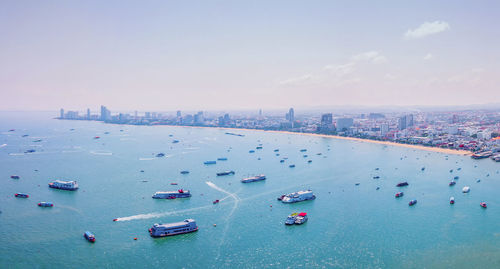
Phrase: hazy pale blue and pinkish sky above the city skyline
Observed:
(166, 55)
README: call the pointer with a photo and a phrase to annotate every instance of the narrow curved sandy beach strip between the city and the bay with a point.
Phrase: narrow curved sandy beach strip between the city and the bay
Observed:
(387, 143)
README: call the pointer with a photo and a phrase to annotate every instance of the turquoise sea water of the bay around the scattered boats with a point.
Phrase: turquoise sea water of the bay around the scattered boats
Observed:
(350, 226)
